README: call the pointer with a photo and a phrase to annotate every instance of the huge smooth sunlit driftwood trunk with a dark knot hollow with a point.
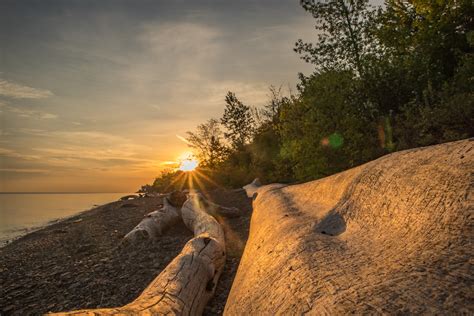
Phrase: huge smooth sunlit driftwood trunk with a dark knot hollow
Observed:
(393, 236)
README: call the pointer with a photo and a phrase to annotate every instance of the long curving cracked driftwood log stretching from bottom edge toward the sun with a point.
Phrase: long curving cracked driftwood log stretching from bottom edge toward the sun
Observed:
(187, 283)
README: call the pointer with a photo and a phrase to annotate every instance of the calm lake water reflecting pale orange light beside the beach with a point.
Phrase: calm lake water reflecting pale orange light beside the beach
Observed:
(21, 213)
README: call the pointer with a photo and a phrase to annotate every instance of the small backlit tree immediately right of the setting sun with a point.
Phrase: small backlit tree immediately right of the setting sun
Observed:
(207, 141)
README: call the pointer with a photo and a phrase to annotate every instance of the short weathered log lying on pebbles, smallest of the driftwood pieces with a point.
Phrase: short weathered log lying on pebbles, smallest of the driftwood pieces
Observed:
(153, 225)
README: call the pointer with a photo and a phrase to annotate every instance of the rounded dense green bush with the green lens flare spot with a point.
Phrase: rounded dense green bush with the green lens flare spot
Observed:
(327, 130)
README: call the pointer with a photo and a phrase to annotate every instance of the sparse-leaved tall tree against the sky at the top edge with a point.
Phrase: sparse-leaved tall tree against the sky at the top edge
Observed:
(344, 35)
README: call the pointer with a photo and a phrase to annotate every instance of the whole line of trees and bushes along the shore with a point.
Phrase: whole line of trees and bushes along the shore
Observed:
(385, 79)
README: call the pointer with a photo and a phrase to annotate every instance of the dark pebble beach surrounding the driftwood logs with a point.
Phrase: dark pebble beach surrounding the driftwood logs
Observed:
(76, 263)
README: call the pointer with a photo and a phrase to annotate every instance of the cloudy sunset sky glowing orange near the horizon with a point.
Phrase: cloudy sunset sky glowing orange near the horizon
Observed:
(96, 96)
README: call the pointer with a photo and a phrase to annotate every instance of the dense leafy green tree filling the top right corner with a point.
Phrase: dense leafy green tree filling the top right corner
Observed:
(427, 38)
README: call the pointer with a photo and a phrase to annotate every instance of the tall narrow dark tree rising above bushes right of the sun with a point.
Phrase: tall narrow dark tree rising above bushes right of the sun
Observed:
(238, 121)
